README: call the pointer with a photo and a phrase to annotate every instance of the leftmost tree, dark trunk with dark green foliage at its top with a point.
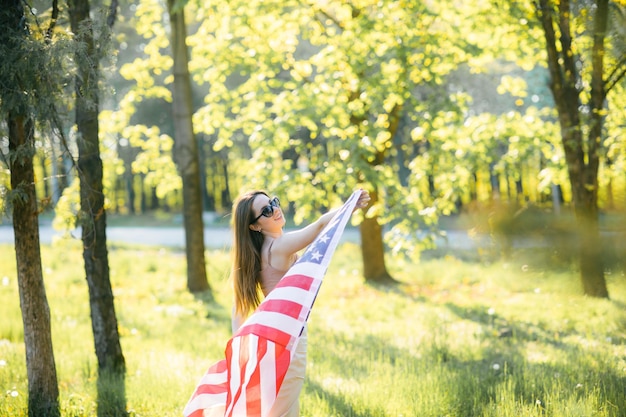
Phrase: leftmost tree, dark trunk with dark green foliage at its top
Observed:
(20, 89)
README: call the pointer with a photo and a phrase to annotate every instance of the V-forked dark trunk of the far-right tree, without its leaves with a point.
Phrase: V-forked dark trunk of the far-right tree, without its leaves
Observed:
(582, 156)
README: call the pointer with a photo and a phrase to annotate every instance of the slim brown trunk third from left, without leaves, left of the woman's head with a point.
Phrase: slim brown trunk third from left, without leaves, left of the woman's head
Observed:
(186, 154)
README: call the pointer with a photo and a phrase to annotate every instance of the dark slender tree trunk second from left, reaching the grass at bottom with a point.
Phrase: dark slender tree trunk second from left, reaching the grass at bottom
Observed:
(93, 218)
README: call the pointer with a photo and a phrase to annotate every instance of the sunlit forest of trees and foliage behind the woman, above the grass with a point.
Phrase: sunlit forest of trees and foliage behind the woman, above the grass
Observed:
(506, 119)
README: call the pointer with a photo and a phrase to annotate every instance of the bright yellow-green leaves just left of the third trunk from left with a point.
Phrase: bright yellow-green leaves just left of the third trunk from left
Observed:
(141, 121)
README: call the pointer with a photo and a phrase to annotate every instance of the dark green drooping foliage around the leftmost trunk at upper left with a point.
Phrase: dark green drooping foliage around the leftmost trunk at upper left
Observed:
(36, 78)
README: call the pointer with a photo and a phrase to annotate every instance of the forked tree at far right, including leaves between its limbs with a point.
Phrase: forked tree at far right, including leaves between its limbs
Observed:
(582, 74)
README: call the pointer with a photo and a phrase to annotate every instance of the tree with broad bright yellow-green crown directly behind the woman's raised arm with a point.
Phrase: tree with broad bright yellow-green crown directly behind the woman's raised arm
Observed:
(329, 83)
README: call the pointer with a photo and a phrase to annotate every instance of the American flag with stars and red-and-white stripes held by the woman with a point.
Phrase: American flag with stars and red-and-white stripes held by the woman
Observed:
(247, 381)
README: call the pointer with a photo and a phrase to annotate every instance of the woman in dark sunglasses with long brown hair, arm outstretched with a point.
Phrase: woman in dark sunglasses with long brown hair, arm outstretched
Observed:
(262, 254)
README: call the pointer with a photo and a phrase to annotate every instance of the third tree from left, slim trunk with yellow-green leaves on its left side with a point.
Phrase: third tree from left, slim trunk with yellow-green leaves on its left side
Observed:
(166, 51)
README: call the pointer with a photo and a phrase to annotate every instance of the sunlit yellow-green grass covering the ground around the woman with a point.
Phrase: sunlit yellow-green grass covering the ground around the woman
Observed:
(454, 338)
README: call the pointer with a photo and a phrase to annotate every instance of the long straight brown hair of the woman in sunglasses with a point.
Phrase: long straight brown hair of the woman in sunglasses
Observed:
(246, 250)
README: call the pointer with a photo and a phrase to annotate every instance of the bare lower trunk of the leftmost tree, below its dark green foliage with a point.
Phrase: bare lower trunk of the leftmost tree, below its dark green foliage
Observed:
(43, 390)
